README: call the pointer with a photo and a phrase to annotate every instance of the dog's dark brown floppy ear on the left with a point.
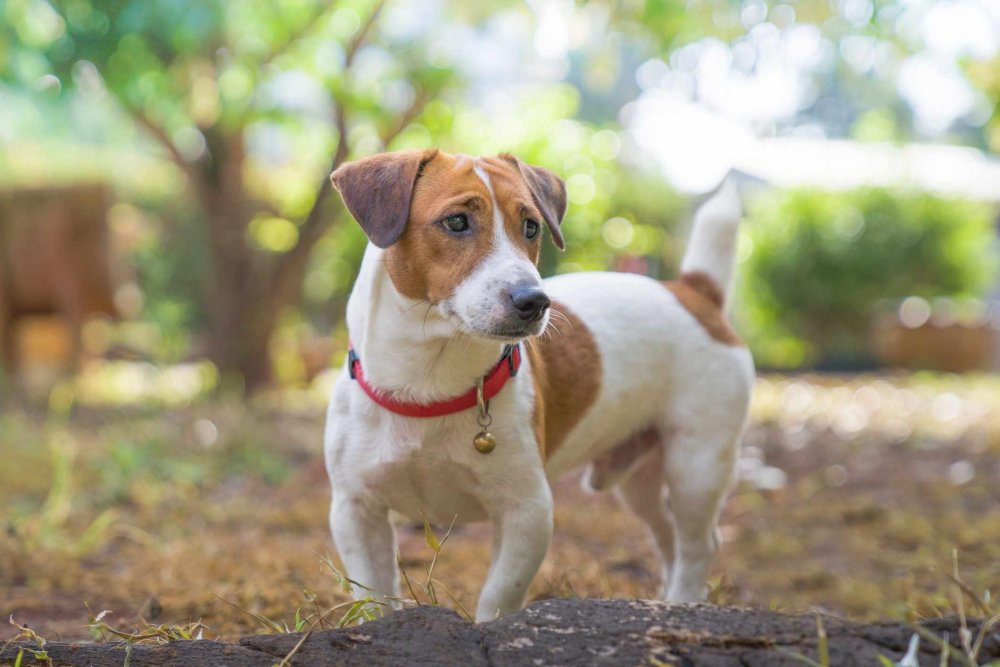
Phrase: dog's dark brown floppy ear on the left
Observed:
(377, 191)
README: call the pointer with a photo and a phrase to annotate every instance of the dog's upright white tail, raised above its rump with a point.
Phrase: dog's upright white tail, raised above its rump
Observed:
(711, 250)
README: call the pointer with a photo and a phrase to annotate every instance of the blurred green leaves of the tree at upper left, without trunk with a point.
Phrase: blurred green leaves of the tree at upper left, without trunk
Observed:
(210, 78)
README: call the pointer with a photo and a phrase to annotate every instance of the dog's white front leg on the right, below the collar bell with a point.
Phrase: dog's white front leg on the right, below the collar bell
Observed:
(521, 539)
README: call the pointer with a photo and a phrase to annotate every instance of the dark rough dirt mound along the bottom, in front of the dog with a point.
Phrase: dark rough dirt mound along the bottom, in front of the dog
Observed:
(553, 632)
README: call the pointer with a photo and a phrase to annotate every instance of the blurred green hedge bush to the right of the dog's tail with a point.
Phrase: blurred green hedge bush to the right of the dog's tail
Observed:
(821, 262)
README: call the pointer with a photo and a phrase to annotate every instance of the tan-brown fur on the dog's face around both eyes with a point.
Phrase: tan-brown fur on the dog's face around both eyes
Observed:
(429, 263)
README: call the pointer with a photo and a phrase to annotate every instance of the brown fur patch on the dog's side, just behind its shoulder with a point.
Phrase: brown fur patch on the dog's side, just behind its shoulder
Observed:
(566, 370)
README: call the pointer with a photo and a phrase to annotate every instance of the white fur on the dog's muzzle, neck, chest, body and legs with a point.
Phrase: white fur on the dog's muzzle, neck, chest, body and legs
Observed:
(660, 369)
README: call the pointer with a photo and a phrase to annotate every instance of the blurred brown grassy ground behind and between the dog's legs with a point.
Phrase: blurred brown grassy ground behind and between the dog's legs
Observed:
(855, 494)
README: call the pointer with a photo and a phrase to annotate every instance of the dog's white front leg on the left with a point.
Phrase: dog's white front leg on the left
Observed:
(366, 541)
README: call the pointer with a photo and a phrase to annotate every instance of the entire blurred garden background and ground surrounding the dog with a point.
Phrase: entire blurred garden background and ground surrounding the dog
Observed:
(174, 270)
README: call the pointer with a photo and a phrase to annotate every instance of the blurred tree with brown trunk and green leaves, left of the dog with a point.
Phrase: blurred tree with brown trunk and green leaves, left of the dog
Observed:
(248, 100)
